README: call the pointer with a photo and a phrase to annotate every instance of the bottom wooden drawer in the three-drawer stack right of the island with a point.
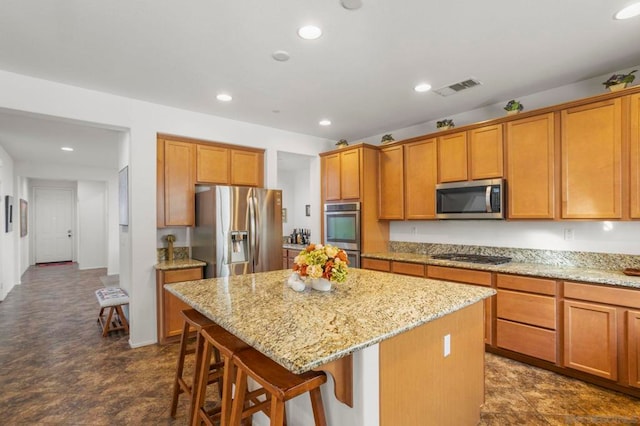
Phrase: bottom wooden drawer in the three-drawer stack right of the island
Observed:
(525, 339)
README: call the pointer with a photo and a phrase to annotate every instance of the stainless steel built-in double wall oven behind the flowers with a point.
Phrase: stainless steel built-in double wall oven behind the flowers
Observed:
(342, 229)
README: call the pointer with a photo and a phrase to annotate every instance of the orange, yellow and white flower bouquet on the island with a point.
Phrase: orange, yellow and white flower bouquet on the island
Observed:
(322, 261)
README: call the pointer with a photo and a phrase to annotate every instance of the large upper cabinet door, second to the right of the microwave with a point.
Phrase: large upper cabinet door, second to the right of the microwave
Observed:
(591, 161)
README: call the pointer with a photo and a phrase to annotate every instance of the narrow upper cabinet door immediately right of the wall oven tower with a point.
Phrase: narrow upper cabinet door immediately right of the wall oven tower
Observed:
(391, 186)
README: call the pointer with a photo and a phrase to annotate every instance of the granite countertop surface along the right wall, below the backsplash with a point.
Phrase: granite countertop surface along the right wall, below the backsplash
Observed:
(596, 276)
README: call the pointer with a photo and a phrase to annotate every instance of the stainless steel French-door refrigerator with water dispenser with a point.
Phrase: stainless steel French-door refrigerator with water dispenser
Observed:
(238, 230)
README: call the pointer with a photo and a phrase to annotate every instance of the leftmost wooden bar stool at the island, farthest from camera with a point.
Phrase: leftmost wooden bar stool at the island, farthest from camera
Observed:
(193, 321)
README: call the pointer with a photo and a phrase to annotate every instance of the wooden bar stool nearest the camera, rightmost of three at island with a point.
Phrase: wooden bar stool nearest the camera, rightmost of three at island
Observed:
(279, 386)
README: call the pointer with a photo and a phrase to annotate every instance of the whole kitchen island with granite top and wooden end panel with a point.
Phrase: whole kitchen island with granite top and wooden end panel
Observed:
(397, 328)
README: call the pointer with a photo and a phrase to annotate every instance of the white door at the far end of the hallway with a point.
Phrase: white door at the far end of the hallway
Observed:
(53, 219)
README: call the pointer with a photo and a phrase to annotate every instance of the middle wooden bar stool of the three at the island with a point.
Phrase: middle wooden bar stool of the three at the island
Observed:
(216, 338)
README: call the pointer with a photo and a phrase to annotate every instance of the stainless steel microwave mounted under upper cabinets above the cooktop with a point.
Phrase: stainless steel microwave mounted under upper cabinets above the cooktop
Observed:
(478, 199)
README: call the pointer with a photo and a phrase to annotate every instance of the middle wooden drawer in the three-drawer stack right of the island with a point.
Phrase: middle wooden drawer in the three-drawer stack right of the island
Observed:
(527, 308)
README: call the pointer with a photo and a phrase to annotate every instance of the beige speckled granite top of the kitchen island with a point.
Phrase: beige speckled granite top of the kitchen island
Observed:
(304, 330)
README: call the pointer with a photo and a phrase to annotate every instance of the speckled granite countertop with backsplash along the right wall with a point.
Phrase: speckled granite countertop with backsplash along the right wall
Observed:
(598, 268)
